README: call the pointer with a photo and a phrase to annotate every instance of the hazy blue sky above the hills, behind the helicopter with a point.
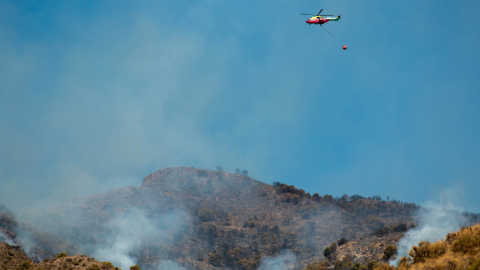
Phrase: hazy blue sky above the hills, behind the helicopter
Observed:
(95, 95)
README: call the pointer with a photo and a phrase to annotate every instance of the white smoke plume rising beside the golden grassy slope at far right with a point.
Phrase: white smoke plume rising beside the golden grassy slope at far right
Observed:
(434, 222)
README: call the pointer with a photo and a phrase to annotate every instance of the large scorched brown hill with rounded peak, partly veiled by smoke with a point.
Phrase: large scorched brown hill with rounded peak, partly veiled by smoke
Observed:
(201, 219)
